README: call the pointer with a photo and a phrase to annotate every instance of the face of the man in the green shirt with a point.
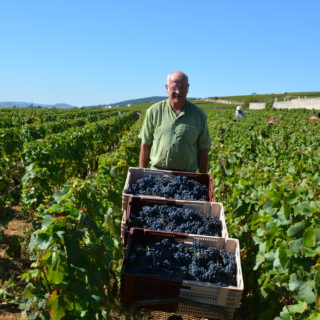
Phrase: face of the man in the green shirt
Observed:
(177, 90)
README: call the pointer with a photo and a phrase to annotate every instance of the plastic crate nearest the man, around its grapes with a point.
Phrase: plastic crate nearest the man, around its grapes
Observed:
(135, 174)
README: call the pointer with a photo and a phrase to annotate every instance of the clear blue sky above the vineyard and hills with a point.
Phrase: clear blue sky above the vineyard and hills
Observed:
(98, 52)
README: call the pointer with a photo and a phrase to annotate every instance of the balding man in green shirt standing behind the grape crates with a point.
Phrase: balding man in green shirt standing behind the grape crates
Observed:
(175, 133)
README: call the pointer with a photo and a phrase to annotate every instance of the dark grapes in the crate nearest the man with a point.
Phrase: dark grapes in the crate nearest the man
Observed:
(173, 186)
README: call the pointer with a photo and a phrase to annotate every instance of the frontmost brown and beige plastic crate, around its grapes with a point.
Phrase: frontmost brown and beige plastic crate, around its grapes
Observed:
(152, 286)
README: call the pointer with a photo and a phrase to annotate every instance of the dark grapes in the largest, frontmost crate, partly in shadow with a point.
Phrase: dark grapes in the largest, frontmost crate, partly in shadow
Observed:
(184, 262)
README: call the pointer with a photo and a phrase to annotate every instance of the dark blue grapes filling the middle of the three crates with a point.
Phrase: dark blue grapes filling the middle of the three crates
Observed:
(174, 219)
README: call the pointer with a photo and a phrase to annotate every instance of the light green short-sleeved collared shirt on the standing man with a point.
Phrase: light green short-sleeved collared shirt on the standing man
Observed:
(175, 139)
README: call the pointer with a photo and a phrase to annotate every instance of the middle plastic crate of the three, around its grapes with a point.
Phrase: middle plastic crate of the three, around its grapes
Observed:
(207, 208)
